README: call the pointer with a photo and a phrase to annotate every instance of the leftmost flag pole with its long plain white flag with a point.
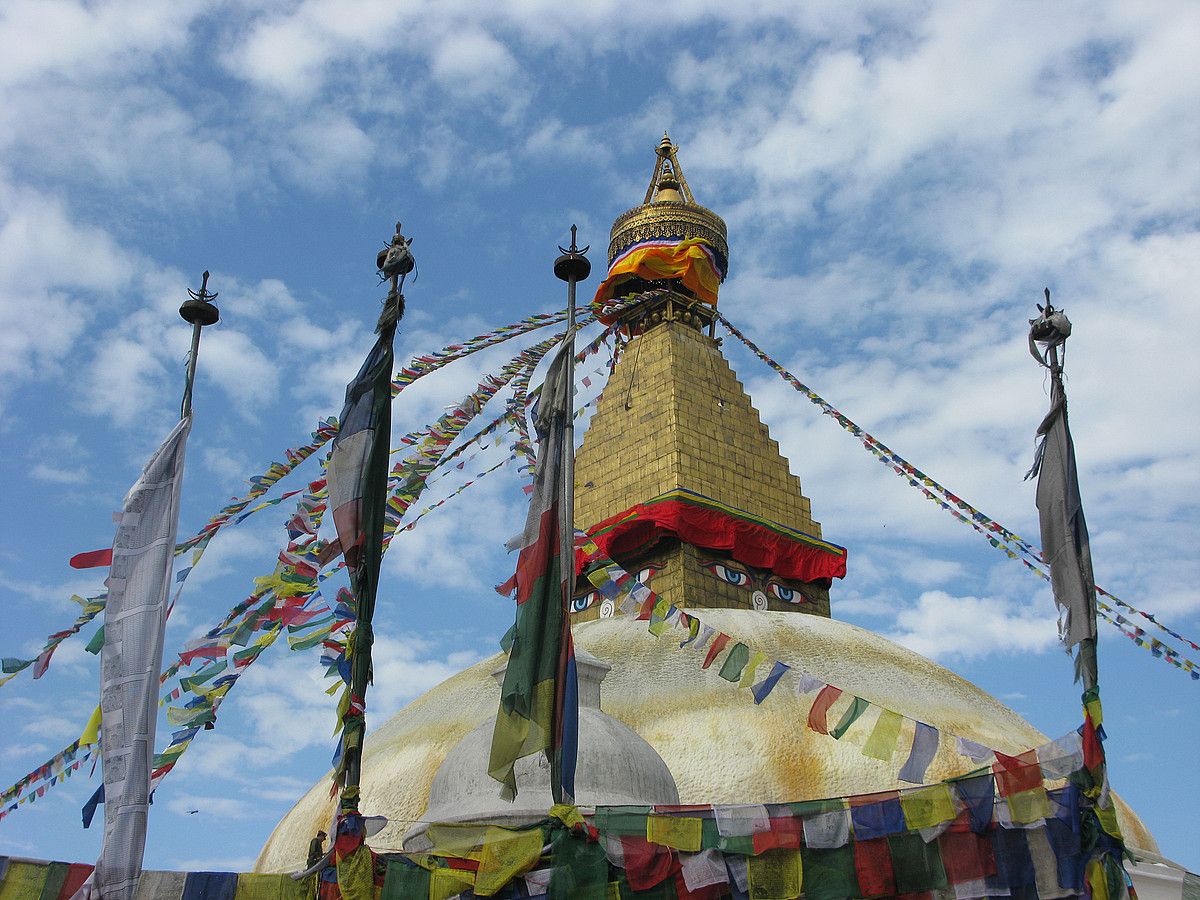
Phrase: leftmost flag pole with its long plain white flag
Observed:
(135, 625)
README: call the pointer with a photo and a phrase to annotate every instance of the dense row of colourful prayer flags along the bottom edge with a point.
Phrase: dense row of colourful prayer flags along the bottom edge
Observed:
(951, 838)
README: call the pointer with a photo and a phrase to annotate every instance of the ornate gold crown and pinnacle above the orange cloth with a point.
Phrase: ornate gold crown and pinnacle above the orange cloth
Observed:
(670, 211)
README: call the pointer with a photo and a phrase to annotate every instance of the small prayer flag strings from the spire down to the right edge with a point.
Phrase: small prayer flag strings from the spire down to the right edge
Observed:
(997, 535)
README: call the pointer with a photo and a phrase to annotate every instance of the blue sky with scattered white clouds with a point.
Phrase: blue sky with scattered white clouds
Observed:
(901, 182)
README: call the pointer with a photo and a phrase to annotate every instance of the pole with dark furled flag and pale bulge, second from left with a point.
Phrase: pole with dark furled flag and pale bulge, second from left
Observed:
(358, 497)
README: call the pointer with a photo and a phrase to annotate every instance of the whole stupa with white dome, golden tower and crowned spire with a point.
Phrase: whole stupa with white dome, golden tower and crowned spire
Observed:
(674, 441)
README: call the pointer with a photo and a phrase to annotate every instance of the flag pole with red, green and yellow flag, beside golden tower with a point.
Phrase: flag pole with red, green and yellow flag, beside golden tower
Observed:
(539, 699)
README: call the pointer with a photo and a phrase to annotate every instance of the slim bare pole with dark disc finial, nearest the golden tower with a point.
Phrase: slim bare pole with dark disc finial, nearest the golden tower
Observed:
(572, 267)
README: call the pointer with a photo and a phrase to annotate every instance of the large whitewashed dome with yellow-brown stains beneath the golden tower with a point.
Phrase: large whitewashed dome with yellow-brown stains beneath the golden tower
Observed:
(721, 747)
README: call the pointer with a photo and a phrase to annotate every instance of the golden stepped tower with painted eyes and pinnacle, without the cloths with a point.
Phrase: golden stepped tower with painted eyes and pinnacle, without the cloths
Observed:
(675, 416)
